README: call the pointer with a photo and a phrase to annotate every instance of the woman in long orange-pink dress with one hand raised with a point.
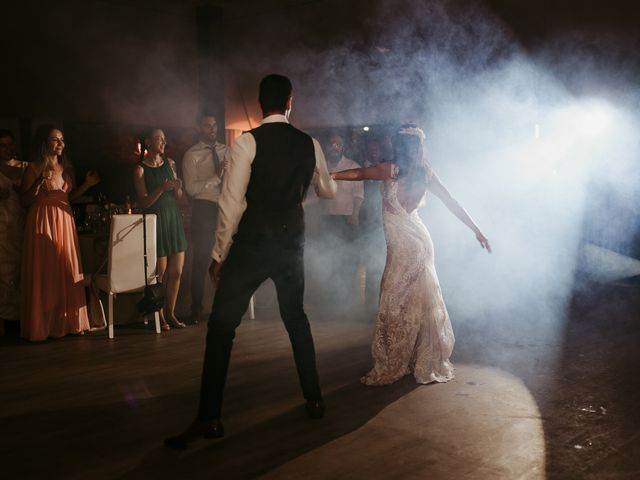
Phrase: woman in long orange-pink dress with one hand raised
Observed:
(53, 297)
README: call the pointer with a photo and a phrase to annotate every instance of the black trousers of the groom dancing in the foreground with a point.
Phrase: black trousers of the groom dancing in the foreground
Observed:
(278, 256)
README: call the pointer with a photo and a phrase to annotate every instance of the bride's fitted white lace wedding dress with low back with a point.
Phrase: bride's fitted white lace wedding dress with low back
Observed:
(413, 333)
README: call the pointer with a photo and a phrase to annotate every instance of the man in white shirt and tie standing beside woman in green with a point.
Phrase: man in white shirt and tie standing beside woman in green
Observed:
(202, 169)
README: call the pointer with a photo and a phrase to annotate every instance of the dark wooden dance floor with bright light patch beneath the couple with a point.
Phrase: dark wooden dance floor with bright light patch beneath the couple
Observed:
(87, 407)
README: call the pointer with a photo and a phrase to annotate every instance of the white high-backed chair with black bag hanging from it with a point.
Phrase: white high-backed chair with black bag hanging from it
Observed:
(125, 270)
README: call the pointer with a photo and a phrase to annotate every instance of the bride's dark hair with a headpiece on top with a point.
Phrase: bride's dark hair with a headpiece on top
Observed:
(409, 156)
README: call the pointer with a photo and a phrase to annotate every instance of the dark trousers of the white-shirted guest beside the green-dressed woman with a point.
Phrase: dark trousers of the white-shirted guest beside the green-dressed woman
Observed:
(204, 216)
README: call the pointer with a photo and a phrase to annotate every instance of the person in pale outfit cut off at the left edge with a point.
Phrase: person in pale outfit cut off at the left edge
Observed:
(11, 226)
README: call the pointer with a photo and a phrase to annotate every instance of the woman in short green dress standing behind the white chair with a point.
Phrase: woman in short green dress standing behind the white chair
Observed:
(159, 189)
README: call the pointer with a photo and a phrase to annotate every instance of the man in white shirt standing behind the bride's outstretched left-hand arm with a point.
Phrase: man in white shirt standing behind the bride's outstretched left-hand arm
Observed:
(339, 228)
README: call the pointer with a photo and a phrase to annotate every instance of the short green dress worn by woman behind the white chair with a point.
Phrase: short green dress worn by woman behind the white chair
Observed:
(169, 229)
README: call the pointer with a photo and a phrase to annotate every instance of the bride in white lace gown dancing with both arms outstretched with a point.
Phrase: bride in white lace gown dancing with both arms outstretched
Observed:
(413, 333)
